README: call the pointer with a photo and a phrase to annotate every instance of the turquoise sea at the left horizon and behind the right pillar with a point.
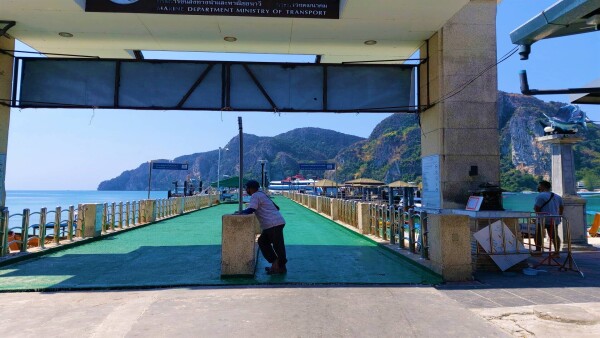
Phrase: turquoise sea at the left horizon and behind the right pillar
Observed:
(17, 200)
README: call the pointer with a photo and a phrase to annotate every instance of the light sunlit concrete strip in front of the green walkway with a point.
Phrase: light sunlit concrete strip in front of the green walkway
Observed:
(242, 312)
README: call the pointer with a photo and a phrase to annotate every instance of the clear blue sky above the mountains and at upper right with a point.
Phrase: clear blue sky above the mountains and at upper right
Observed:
(76, 149)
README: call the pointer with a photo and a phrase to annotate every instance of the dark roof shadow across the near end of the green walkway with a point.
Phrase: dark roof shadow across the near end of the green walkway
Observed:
(160, 266)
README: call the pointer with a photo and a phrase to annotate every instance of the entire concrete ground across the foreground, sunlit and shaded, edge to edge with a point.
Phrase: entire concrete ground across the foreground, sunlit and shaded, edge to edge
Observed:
(553, 303)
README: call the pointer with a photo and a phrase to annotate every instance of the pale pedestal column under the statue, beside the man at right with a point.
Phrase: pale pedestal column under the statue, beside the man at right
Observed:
(564, 184)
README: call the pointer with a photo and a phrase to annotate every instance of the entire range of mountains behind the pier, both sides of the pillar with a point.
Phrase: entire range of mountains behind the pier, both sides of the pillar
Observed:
(392, 152)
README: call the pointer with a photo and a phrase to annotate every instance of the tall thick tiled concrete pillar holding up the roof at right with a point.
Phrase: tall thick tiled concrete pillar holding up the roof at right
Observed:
(460, 131)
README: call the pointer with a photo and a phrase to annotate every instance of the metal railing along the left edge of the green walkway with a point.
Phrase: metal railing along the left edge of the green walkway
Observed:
(23, 231)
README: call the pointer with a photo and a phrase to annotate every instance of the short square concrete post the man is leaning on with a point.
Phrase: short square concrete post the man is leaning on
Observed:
(238, 245)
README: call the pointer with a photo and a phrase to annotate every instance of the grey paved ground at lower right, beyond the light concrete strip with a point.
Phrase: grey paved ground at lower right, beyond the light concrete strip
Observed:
(552, 304)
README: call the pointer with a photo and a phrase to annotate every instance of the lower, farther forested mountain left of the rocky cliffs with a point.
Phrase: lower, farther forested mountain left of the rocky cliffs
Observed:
(283, 153)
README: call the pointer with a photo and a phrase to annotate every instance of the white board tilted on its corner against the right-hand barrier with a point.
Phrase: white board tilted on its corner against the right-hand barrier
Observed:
(501, 238)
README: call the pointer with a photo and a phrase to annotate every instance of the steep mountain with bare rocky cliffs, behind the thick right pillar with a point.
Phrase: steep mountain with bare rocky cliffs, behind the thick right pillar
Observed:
(392, 152)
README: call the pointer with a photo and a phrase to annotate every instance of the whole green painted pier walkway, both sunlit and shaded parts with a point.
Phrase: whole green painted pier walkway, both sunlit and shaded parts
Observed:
(186, 251)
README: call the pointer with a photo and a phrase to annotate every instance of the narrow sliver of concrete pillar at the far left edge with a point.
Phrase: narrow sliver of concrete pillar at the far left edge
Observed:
(6, 73)
